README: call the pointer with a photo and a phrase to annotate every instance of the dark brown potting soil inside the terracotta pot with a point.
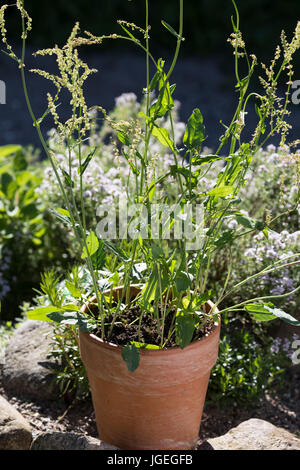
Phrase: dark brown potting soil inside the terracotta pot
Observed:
(126, 328)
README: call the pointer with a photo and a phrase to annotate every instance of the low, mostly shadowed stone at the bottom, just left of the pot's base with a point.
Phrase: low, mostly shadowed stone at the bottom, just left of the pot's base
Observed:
(68, 441)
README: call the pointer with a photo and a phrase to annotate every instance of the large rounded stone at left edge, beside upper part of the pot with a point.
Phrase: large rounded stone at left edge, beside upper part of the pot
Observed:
(27, 370)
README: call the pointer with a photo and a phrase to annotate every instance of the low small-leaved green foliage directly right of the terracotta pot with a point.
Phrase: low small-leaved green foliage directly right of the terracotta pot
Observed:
(246, 368)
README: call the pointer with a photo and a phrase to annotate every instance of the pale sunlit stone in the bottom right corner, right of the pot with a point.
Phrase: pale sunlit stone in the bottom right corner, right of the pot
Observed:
(254, 434)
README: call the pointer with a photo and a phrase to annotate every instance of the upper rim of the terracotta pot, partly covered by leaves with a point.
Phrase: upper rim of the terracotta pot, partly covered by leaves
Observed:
(150, 352)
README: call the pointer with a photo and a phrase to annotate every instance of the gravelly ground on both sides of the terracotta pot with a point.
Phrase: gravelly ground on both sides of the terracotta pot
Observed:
(282, 409)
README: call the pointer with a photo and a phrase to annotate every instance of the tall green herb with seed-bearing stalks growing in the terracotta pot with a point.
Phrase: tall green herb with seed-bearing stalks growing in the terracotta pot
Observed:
(172, 272)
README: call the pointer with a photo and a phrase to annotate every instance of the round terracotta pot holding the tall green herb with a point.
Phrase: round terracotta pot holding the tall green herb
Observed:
(159, 406)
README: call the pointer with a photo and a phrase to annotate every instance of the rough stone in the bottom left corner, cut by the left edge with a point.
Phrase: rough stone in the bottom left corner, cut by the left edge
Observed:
(15, 432)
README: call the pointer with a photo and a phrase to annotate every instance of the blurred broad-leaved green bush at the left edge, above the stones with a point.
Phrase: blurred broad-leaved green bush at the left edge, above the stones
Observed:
(29, 241)
